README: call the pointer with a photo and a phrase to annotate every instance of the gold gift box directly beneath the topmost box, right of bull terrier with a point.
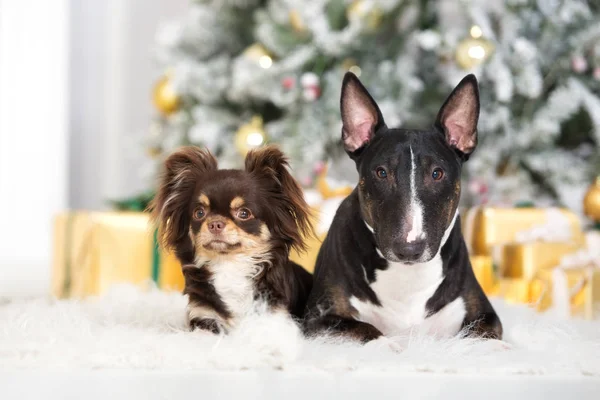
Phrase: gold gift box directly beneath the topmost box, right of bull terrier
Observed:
(524, 260)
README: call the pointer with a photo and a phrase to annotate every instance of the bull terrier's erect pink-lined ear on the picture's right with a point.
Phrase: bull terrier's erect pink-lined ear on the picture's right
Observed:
(459, 115)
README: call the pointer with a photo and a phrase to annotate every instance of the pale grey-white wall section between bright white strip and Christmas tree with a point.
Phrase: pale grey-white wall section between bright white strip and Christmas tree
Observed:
(112, 75)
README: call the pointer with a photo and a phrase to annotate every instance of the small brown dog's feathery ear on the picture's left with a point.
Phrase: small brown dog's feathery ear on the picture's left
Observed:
(171, 205)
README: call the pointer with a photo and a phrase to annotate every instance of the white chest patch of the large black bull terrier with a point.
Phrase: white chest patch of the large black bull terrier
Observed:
(403, 291)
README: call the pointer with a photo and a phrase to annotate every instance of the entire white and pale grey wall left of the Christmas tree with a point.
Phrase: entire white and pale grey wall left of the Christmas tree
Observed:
(75, 81)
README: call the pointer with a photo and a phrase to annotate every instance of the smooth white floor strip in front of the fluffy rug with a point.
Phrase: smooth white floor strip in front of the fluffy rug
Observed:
(116, 384)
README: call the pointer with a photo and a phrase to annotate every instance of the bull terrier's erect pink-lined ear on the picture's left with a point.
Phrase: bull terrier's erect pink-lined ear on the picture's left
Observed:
(360, 114)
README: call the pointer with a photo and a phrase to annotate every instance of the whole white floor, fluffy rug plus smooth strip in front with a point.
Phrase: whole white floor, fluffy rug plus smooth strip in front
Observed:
(132, 344)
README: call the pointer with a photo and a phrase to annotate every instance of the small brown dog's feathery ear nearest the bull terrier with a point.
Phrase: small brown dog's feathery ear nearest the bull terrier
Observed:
(292, 212)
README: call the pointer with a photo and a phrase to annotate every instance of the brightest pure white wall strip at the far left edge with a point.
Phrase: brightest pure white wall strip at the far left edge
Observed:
(33, 137)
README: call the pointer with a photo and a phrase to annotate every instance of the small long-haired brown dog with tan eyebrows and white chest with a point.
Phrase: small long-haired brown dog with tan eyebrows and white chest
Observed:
(232, 231)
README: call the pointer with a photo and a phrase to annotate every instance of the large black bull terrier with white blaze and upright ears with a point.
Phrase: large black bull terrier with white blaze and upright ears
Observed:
(394, 258)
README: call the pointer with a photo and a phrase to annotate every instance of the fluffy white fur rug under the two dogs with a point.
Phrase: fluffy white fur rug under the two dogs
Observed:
(135, 329)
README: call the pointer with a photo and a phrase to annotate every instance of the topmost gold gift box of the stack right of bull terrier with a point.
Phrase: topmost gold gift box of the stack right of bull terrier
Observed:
(486, 227)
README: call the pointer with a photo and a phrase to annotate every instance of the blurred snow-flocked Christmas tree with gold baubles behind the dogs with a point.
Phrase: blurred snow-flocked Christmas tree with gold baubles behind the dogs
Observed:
(240, 73)
